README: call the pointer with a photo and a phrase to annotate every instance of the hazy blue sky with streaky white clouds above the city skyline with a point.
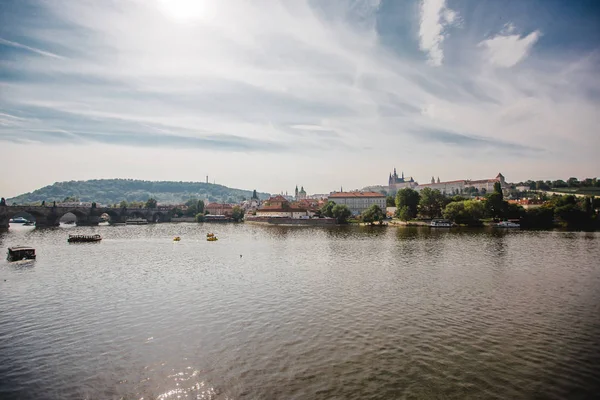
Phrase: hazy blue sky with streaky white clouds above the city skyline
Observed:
(268, 95)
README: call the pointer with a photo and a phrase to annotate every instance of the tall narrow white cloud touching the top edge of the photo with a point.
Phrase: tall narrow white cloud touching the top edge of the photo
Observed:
(435, 18)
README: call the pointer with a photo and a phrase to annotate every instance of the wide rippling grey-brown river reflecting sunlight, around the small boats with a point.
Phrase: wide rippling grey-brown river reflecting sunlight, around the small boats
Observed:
(300, 313)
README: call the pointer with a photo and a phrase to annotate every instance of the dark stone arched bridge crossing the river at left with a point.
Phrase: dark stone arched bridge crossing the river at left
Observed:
(51, 215)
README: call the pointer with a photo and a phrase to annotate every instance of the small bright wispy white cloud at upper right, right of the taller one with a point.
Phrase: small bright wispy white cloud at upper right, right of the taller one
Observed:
(506, 50)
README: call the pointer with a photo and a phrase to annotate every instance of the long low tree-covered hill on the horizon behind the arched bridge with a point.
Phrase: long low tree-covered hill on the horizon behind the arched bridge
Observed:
(110, 191)
